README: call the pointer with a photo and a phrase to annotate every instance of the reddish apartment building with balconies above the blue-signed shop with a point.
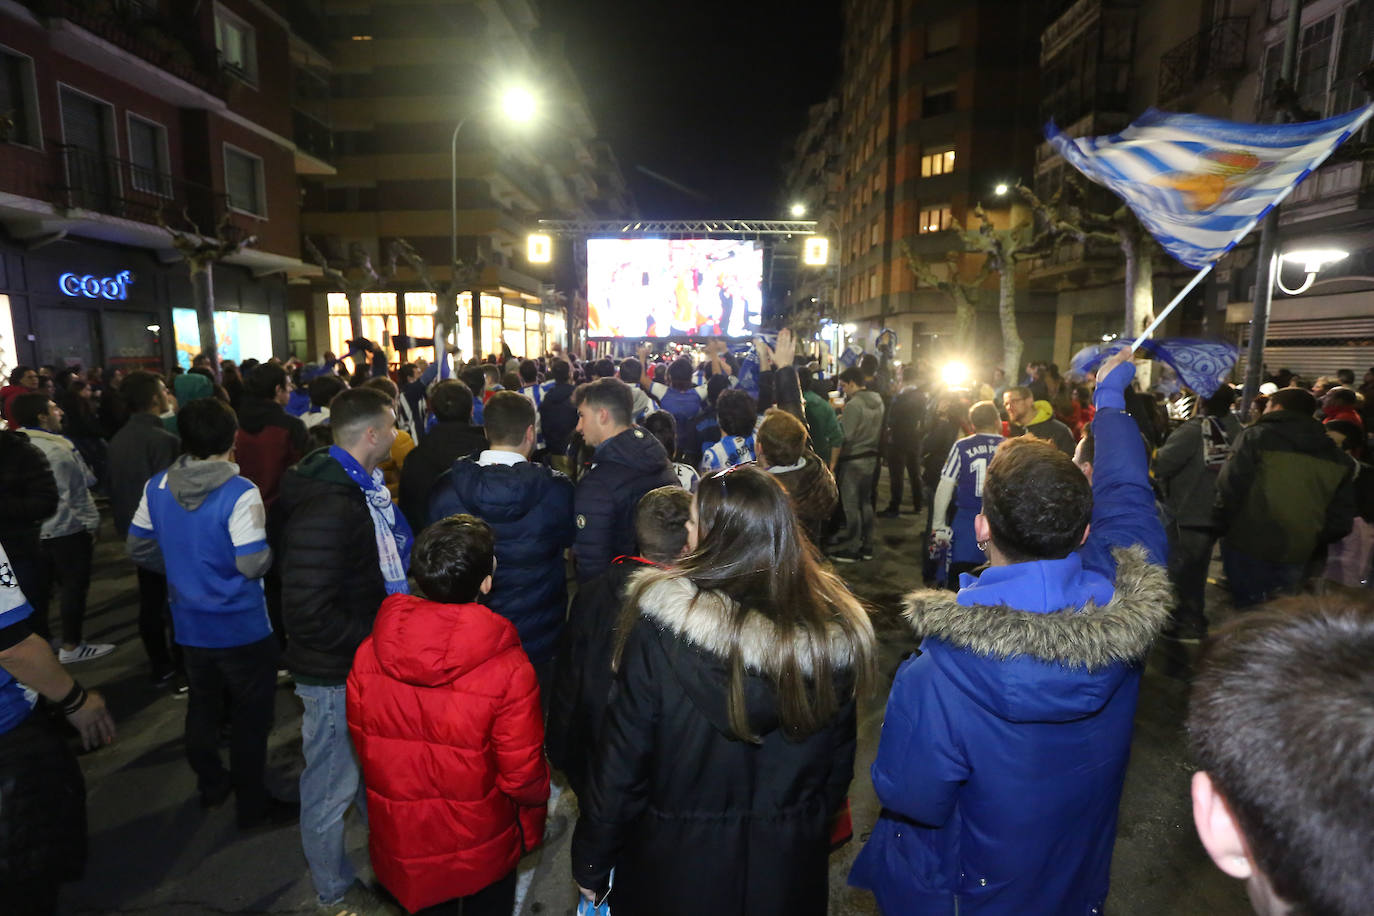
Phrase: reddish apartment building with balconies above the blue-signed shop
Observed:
(117, 117)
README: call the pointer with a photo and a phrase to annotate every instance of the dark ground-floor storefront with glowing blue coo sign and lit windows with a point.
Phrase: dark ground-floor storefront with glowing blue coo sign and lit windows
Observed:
(80, 303)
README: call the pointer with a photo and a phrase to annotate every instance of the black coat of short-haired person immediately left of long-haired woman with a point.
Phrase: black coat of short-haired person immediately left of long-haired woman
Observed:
(583, 675)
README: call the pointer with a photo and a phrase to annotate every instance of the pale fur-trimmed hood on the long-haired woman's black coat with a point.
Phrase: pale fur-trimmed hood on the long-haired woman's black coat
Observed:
(699, 624)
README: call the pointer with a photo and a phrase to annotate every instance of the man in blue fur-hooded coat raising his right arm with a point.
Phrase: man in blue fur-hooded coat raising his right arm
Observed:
(1006, 741)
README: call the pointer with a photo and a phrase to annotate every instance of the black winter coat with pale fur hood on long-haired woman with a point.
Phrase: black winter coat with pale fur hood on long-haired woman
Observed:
(693, 819)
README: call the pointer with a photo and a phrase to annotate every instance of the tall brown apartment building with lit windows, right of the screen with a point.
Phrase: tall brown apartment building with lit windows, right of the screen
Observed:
(939, 105)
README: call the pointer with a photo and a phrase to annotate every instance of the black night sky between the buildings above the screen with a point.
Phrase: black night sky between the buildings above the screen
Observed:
(707, 94)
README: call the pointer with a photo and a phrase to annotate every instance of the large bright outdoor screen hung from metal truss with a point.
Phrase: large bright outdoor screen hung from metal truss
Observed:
(684, 288)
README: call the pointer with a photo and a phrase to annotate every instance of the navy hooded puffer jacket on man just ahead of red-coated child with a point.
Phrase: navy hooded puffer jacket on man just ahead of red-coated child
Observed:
(531, 512)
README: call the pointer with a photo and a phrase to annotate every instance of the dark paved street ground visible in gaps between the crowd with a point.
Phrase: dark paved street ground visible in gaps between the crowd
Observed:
(155, 852)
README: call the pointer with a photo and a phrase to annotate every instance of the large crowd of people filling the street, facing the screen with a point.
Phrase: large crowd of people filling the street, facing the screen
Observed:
(624, 572)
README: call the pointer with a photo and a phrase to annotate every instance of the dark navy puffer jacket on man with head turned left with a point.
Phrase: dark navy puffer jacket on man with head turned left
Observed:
(624, 468)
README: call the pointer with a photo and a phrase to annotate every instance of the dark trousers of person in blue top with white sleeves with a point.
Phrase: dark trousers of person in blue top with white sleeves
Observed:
(247, 676)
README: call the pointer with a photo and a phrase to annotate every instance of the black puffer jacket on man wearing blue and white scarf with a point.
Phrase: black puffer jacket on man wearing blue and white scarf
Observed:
(332, 580)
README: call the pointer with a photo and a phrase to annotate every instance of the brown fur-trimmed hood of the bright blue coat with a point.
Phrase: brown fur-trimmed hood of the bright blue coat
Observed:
(1052, 665)
